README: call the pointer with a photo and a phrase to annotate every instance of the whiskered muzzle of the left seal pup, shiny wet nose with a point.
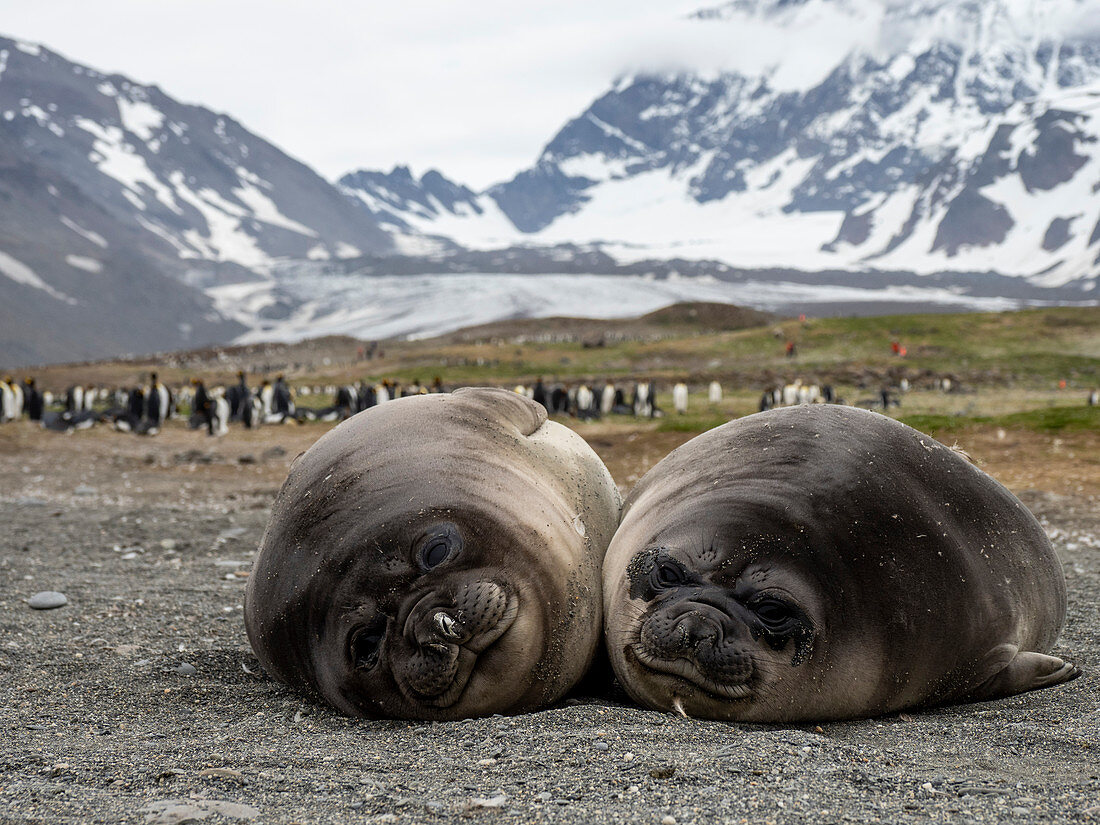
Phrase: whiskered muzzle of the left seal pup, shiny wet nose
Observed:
(449, 643)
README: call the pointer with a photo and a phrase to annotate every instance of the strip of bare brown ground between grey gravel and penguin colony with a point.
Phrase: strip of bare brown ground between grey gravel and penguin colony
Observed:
(182, 466)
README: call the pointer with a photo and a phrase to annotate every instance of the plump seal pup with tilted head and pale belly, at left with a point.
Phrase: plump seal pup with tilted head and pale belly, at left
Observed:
(436, 558)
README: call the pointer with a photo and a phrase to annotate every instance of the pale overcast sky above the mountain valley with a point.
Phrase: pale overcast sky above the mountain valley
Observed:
(475, 90)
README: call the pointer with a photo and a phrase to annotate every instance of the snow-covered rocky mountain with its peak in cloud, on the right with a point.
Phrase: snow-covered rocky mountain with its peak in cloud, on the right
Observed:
(941, 136)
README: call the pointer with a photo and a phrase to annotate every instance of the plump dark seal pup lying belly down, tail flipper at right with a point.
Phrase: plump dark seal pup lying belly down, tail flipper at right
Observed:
(824, 563)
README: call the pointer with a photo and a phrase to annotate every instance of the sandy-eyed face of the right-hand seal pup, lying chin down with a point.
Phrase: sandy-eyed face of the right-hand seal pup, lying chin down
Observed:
(716, 618)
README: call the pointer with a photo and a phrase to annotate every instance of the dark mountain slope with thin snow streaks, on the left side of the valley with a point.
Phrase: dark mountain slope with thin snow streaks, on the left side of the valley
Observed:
(118, 203)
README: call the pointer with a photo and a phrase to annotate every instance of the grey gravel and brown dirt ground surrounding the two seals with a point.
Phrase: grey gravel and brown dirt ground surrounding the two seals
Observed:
(140, 701)
